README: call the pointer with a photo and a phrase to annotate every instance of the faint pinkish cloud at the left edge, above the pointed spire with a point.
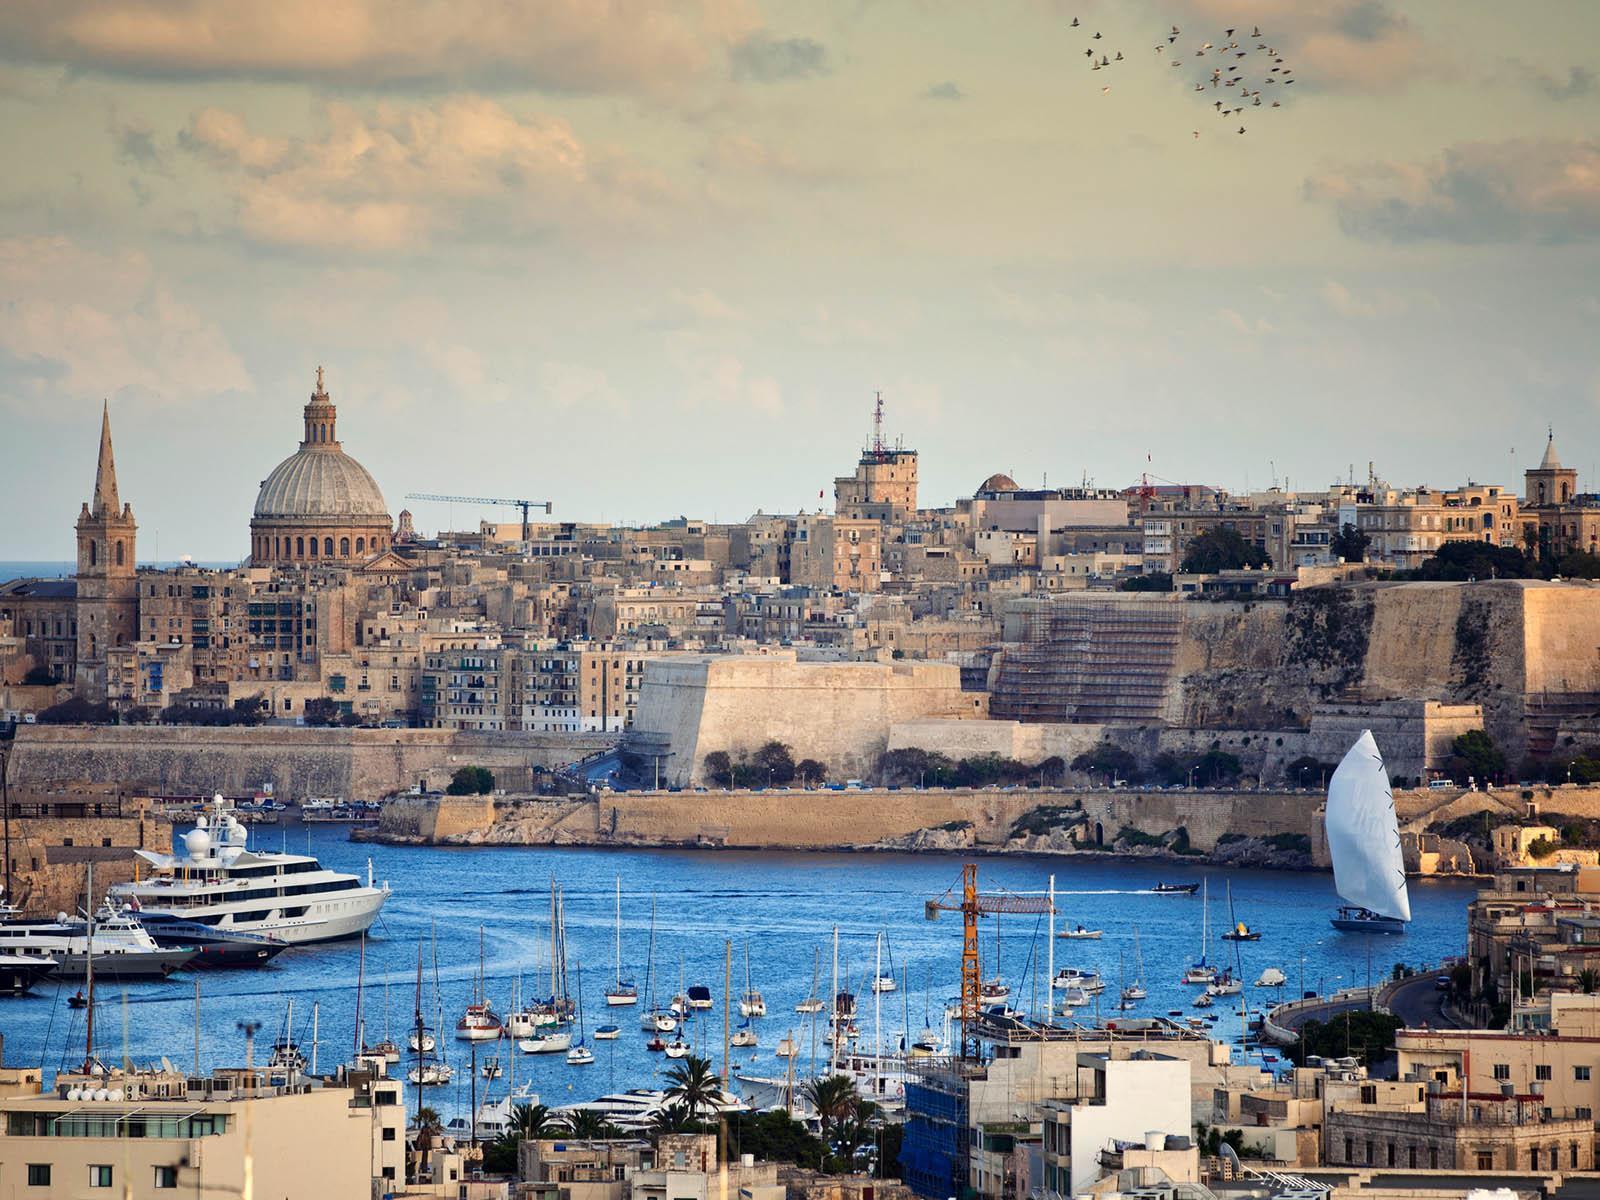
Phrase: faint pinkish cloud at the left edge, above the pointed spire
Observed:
(81, 324)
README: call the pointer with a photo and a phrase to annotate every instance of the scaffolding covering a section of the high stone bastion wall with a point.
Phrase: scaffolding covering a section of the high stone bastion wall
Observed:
(1090, 658)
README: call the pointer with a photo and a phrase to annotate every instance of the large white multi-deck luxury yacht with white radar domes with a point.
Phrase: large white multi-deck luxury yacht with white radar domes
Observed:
(223, 884)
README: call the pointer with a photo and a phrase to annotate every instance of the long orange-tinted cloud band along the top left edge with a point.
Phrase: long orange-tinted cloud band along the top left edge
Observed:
(618, 46)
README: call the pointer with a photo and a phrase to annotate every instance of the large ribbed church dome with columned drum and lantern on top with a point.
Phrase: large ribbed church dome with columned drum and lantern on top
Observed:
(319, 505)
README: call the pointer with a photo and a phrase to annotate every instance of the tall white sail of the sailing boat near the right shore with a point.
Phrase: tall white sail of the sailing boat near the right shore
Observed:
(1364, 836)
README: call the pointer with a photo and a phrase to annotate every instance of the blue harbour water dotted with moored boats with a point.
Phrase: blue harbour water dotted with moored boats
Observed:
(783, 906)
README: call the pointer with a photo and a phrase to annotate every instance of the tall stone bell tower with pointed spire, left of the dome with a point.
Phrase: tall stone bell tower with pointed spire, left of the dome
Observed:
(108, 590)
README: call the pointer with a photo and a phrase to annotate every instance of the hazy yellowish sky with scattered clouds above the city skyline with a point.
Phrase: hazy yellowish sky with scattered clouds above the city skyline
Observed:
(647, 260)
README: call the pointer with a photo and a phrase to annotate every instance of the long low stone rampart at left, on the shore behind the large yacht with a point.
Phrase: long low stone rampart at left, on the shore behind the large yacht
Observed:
(298, 762)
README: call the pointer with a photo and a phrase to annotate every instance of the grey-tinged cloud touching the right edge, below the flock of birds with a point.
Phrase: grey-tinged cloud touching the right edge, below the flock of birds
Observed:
(1513, 191)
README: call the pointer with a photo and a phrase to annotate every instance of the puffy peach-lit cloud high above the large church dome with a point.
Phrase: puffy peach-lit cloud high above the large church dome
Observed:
(396, 178)
